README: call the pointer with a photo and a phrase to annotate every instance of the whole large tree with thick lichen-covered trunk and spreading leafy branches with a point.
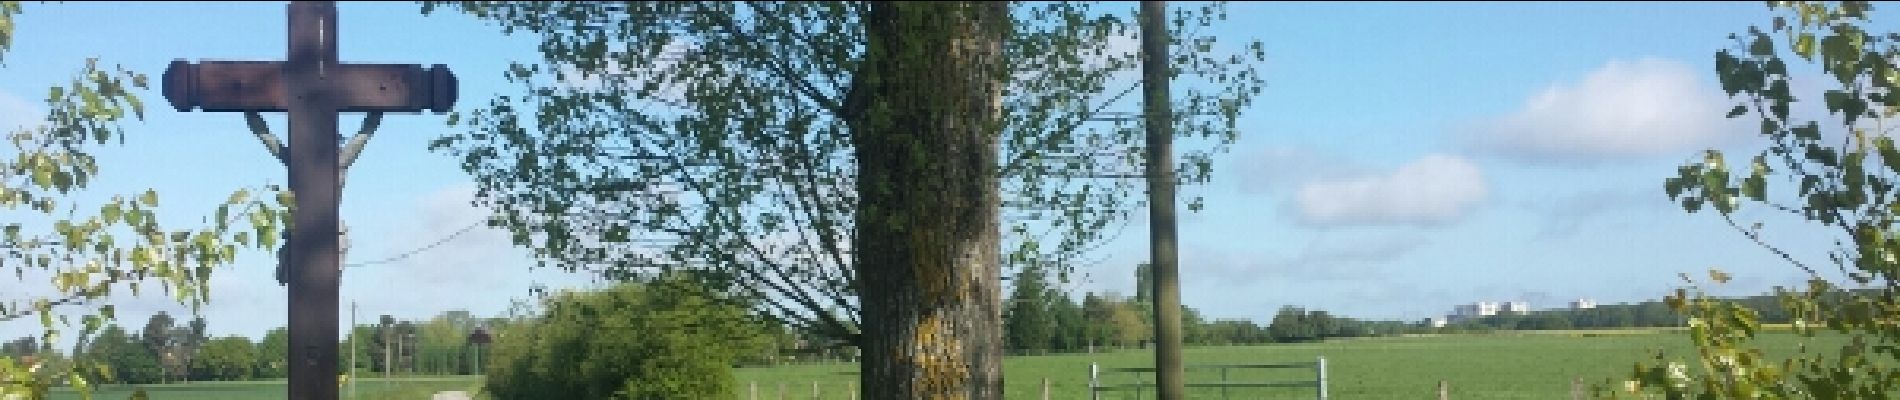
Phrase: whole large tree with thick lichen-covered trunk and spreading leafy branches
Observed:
(883, 158)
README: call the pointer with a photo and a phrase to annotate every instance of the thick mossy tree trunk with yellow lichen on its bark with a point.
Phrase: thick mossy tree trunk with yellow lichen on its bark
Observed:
(924, 122)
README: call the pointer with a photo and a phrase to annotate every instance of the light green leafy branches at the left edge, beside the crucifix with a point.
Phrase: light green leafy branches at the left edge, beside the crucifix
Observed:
(88, 251)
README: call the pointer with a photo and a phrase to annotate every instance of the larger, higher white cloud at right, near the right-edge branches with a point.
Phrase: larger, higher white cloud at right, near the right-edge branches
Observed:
(1625, 109)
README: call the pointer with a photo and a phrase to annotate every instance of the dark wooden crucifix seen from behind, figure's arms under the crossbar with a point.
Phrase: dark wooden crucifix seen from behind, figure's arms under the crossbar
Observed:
(313, 86)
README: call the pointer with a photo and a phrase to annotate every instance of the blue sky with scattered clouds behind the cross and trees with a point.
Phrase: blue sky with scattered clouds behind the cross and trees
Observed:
(1405, 158)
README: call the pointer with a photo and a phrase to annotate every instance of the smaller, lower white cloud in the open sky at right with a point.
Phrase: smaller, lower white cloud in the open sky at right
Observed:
(1426, 192)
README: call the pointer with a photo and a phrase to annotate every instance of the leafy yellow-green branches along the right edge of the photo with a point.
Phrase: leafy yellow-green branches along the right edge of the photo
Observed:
(1842, 177)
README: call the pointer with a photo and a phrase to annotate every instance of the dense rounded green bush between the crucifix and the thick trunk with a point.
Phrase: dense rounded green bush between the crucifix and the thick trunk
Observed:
(656, 340)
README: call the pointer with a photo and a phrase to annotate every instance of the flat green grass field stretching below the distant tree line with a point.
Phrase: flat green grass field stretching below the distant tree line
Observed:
(1517, 365)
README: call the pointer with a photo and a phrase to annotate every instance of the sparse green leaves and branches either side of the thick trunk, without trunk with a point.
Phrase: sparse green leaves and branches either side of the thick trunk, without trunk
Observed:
(712, 136)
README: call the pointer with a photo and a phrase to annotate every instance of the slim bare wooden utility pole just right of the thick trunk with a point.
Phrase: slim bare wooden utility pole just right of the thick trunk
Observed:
(1162, 240)
